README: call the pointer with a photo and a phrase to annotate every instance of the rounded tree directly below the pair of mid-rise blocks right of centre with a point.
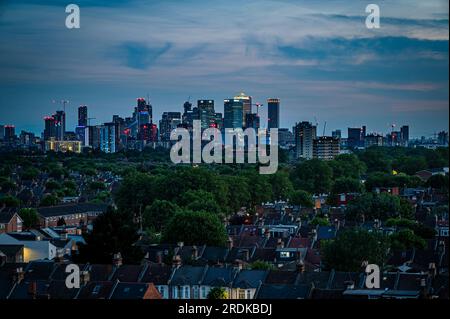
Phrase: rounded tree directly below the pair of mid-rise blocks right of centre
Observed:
(313, 176)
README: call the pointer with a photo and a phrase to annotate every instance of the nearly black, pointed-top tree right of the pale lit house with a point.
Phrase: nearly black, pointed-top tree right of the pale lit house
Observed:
(112, 233)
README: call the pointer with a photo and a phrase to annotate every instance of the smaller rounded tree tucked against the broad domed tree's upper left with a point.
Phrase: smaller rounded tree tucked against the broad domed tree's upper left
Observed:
(158, 214)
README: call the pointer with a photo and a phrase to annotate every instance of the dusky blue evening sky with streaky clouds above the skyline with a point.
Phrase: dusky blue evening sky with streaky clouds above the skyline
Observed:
(318, 57)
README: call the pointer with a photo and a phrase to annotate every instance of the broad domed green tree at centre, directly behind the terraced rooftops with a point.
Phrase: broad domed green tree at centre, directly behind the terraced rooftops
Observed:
(195, 228)
